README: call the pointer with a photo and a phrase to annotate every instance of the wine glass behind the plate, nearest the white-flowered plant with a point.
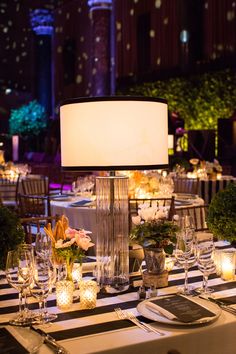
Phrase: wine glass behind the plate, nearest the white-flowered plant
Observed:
(185, 255)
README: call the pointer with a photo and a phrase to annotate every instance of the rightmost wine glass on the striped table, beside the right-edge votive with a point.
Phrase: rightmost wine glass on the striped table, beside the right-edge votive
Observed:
(204, 252)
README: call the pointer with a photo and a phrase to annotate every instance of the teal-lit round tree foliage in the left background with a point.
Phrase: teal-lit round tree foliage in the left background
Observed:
(28, 119)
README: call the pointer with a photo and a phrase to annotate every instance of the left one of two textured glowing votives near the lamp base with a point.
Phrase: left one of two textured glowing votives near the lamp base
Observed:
(64, 294)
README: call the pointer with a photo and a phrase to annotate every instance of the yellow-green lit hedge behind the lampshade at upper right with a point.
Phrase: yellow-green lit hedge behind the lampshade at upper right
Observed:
(200, 100)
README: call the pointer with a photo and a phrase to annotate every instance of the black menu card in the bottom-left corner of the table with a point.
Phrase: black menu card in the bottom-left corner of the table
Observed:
(8, 343)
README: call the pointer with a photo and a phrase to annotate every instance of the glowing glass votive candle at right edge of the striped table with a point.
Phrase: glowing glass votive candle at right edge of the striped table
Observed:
(228, 259)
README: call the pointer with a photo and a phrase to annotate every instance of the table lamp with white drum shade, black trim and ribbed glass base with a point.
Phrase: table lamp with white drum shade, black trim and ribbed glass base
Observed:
(110, 134)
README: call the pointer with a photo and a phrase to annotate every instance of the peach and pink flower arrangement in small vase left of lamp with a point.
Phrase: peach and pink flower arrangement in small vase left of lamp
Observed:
(68, 245)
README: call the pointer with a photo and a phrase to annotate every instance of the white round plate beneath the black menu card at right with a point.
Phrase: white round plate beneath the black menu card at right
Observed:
(144, 311)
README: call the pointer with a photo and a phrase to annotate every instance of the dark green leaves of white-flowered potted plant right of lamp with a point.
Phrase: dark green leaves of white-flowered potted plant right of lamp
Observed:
(155, 234)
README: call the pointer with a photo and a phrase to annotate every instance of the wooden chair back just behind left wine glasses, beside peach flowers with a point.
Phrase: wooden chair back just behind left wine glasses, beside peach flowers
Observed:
(34, 225)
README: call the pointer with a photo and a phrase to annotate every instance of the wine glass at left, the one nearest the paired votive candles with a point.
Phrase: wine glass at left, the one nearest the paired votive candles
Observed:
(44, 278)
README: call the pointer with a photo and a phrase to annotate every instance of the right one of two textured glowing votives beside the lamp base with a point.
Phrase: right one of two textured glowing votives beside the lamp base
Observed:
(88, 294)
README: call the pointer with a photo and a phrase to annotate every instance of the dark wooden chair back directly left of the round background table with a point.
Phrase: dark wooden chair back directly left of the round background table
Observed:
(34, 205)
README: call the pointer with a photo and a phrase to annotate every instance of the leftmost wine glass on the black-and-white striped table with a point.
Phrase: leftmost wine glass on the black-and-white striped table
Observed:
(19, 274)
